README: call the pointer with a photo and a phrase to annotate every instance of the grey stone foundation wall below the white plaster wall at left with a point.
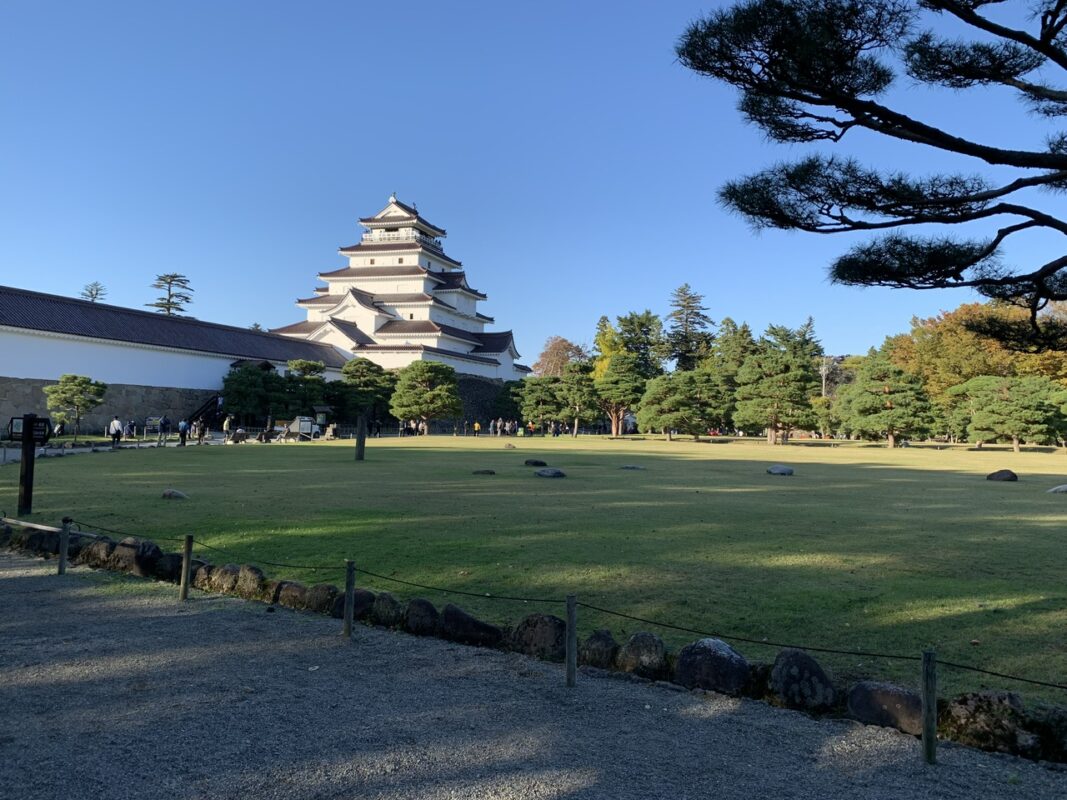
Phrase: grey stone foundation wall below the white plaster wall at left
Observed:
(26, 396)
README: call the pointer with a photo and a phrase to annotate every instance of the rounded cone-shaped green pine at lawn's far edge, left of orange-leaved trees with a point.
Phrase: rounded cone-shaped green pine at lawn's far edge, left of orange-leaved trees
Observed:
(884, 401)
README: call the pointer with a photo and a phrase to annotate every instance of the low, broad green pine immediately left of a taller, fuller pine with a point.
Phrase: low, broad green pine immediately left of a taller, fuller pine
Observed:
(692, 402)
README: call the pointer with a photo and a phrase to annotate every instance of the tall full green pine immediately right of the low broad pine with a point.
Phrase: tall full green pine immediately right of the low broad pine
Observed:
(776, 383)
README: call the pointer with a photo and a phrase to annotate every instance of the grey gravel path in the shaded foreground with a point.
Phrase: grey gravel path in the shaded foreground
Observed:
(110, 690)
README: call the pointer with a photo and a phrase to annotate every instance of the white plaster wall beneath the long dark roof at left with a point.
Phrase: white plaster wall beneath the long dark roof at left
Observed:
(47, 358)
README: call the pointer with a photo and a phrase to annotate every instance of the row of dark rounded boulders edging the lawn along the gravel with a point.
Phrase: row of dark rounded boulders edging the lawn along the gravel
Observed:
(993, 722)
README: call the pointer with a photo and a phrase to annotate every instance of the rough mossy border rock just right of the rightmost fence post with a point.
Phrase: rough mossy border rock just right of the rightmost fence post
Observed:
(990, 721)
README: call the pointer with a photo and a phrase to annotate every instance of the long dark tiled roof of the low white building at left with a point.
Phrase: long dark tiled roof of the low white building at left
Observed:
(55, 314)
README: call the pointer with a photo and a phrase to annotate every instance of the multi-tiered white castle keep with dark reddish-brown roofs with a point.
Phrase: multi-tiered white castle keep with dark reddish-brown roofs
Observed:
(402, 299)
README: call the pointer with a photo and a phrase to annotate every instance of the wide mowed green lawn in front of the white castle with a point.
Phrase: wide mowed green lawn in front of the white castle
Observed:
(864, 549)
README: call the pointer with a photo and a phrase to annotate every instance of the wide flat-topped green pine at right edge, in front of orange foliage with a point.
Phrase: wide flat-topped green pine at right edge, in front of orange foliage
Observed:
(1016, 409)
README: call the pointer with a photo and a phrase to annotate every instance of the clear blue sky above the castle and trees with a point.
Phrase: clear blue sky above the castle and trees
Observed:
(574, 162)
